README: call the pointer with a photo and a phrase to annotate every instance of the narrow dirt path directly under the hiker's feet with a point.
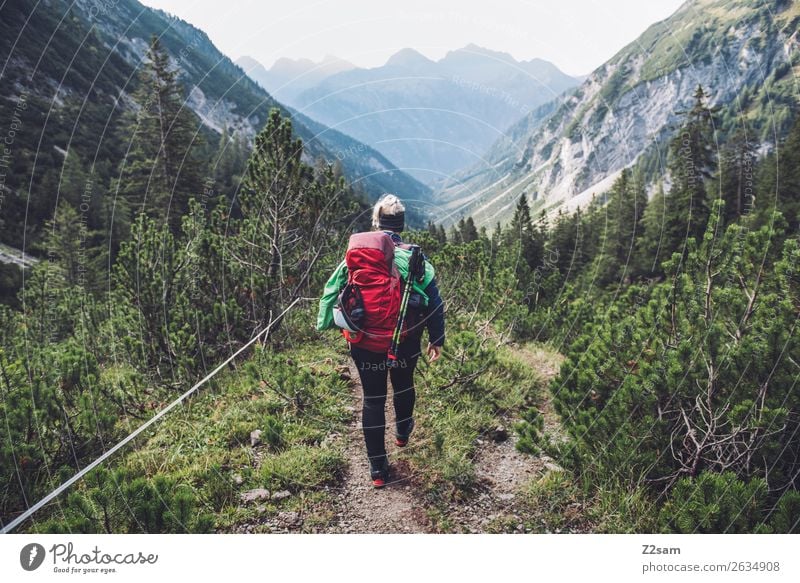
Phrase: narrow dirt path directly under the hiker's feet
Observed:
(364, 509)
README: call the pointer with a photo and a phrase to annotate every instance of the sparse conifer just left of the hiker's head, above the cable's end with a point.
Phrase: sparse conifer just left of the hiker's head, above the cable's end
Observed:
(289, 218)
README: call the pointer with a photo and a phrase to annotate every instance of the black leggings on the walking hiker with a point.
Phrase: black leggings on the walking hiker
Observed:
(372, 369)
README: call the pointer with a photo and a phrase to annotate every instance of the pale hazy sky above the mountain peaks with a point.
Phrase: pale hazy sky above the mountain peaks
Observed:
(576, 35)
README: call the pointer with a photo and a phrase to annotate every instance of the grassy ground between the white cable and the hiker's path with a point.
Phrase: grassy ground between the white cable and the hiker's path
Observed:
(295, 397)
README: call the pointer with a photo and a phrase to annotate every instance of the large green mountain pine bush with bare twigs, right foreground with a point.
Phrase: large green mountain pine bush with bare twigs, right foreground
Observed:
(698, 379)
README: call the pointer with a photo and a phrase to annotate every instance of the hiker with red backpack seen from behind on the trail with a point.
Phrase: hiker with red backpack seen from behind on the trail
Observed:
(381, 260)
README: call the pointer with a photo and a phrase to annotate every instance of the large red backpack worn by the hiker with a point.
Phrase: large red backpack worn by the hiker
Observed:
(370, 302)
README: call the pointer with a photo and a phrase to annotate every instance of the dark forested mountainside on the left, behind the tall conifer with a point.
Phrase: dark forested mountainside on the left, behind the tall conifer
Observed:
(74, 77)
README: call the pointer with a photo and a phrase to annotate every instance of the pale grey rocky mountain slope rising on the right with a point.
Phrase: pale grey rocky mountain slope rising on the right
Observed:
(744, 53)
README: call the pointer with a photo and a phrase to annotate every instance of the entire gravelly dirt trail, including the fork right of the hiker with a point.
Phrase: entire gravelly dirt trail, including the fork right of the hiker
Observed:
(494, 505)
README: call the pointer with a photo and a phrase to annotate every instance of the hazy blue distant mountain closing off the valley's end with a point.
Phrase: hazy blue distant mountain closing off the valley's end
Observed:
(431, 117)
